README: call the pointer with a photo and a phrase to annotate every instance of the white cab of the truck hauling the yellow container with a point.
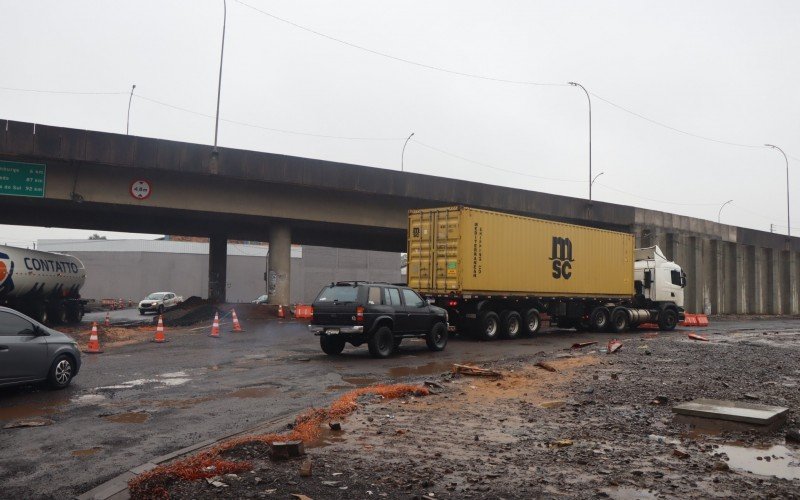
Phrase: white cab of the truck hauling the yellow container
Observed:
(657, 278)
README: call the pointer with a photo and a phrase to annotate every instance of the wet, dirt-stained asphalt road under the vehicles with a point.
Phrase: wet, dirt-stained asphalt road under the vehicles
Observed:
(136, 402)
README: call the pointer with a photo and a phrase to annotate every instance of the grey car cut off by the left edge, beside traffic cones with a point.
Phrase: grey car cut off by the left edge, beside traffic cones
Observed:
(31, 352)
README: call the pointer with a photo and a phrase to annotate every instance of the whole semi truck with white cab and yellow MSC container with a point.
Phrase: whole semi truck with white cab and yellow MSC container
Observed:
(498, 274)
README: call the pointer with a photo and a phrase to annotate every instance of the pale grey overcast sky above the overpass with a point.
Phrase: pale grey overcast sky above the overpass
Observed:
(724, 70)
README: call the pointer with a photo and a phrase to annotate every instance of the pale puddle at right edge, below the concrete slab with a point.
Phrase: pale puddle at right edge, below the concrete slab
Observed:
(778, 461)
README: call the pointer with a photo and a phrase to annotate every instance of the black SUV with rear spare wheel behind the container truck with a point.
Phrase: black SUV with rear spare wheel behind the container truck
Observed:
(380, 314)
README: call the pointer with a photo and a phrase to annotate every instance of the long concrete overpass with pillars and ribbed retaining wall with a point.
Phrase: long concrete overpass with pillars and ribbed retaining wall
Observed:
(250, 195)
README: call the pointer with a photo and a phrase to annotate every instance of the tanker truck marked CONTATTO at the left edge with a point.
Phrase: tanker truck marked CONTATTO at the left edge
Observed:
(43, 285)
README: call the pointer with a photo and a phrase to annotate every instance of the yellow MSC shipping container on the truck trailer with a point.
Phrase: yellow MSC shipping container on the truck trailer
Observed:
(470, 251)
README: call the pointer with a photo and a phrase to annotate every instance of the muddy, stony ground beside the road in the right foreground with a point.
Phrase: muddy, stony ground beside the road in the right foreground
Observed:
(601, 426)
